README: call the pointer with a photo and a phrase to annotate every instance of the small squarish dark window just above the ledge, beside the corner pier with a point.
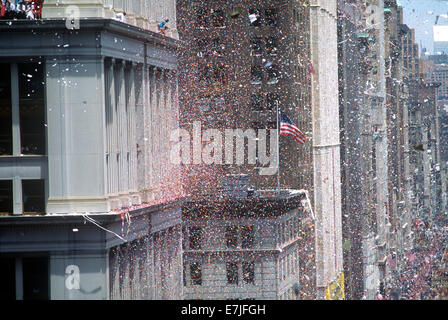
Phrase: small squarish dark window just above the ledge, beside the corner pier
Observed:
(33, 196)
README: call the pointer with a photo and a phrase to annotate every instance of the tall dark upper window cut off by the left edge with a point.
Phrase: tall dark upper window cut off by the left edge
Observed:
(5, 110)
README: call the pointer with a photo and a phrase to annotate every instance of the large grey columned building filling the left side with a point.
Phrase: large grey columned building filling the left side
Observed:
(89, 198)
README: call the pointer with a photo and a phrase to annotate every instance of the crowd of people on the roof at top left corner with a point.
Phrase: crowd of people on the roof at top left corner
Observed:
(21, 9)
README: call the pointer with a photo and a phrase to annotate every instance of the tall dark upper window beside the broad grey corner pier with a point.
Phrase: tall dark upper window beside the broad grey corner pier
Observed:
(32, 108)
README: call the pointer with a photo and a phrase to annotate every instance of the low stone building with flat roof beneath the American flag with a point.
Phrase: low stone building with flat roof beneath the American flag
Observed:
(247, 248)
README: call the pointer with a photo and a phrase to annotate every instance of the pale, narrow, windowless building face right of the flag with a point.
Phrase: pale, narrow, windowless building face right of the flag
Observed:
(326, 143)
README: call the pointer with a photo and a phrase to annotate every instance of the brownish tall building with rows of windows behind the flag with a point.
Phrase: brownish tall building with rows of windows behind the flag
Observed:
(242, 61)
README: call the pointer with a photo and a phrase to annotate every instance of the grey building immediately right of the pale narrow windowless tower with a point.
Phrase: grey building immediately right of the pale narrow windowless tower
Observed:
(358, 214)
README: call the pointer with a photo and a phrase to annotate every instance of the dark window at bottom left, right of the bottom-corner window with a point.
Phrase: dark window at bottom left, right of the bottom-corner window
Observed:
(35, 279)
